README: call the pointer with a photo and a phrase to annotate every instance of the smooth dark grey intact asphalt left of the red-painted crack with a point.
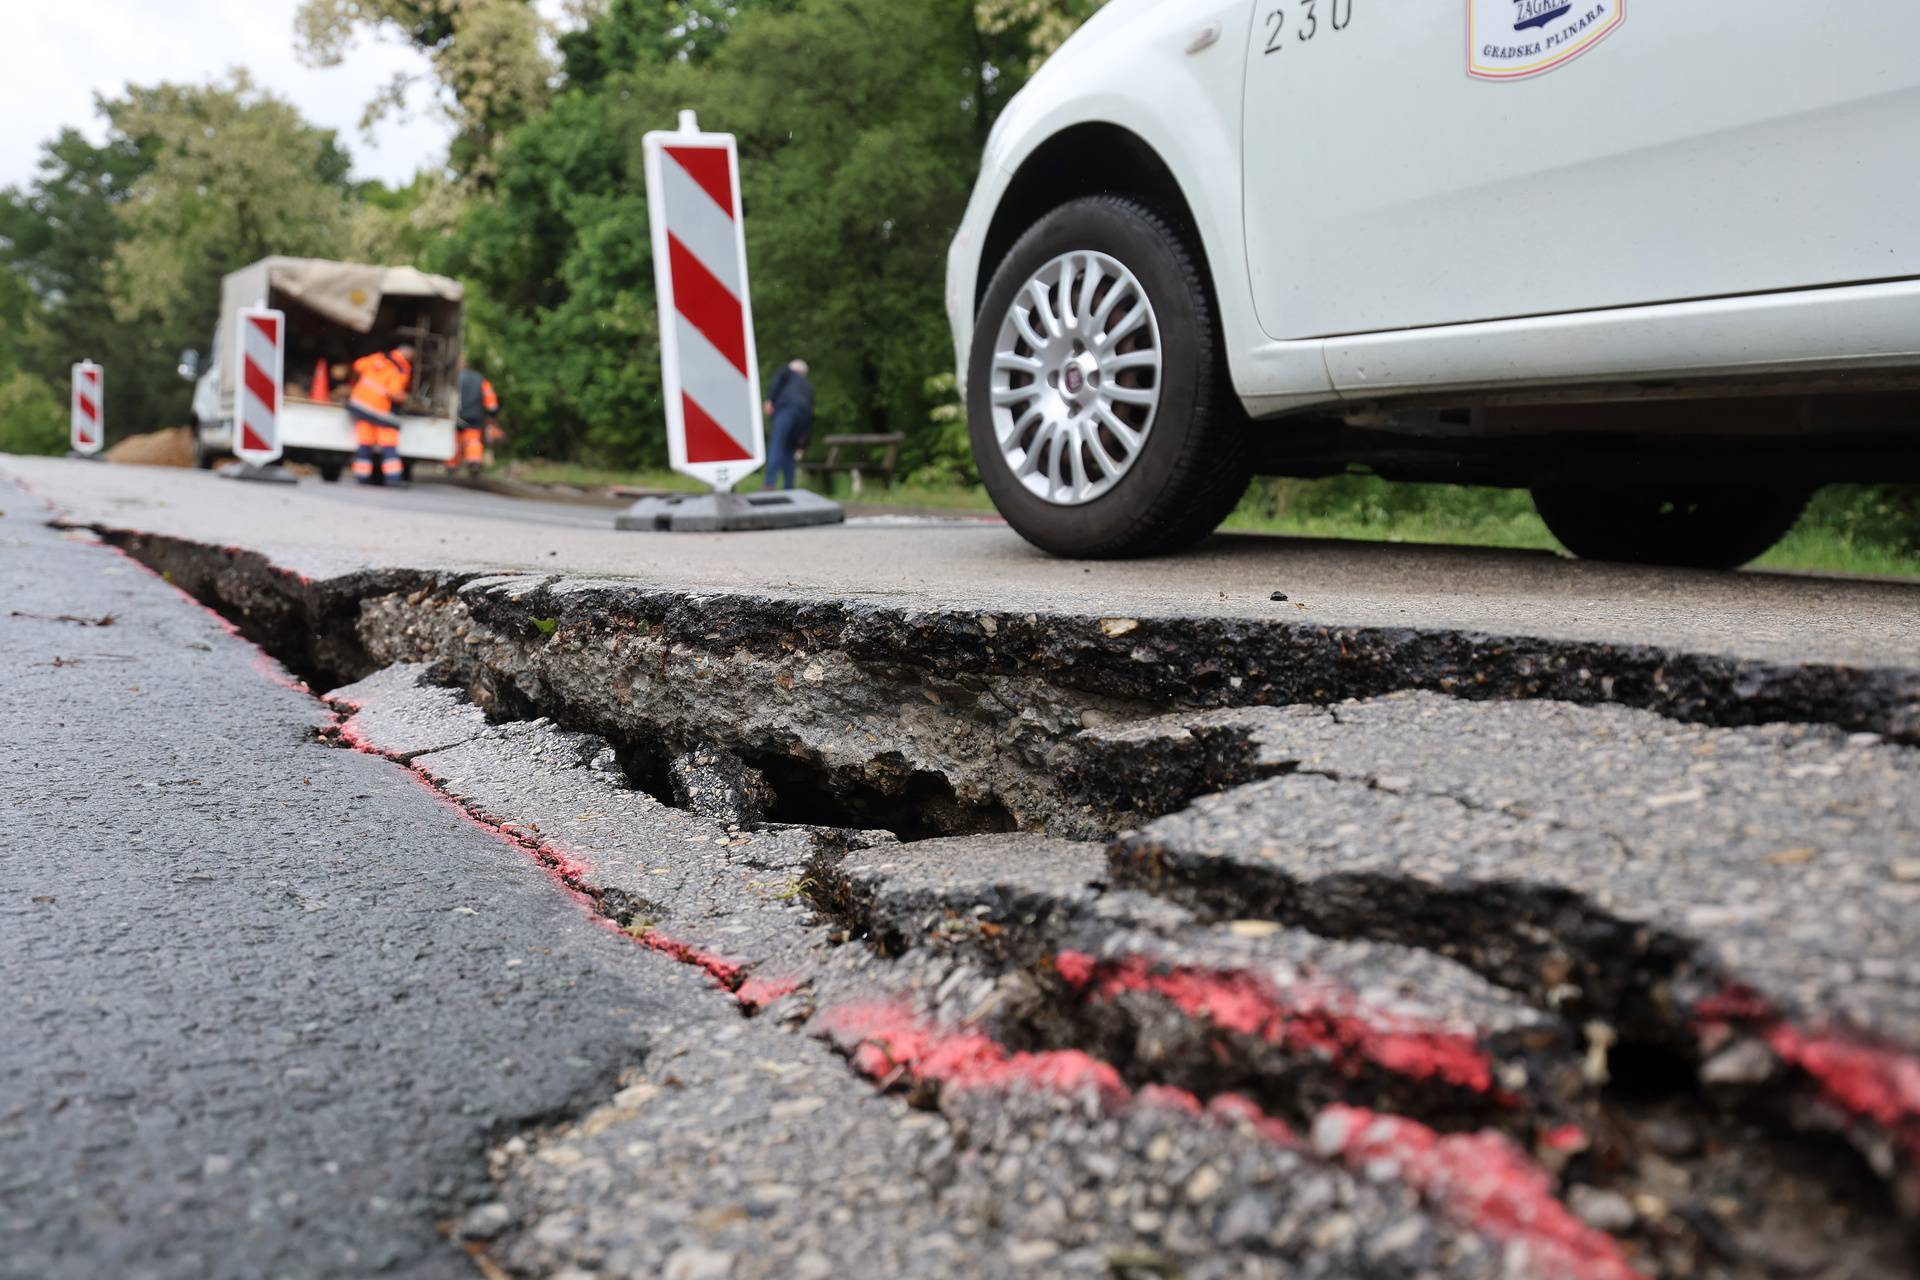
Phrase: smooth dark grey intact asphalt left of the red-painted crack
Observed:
(268, 1001)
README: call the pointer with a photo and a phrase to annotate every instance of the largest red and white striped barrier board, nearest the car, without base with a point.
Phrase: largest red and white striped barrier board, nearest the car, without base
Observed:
(709, 366)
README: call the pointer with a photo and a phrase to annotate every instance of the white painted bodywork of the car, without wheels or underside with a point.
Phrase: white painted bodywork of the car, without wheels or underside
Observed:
(1735, 179)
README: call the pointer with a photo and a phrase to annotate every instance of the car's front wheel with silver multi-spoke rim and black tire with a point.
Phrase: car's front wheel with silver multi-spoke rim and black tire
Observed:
(1099, 404)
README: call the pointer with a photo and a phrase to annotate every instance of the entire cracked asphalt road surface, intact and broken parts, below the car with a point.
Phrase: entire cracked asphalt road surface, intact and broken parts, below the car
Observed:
(1328, 980)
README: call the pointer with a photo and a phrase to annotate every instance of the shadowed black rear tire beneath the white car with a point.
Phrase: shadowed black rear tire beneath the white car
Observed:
(1694, 529)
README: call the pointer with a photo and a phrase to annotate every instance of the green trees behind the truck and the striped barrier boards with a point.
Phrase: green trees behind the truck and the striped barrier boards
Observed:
(861, 126)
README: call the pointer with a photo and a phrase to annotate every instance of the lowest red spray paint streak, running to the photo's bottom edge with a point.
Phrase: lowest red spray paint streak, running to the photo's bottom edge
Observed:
(1481, 1181)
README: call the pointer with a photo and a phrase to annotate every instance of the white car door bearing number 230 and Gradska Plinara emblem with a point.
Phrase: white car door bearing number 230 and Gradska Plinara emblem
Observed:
(1476, 160)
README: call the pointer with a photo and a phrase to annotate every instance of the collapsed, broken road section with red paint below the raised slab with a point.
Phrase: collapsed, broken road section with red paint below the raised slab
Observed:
(1176, 947)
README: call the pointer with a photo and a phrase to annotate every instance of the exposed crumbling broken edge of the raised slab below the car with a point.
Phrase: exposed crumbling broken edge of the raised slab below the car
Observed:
(938, 721)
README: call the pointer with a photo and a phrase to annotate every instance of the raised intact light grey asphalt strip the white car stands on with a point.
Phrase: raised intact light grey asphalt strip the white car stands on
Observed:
(331, 531)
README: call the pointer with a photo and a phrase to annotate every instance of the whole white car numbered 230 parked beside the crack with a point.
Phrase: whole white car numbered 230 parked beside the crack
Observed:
(1656, 262)
